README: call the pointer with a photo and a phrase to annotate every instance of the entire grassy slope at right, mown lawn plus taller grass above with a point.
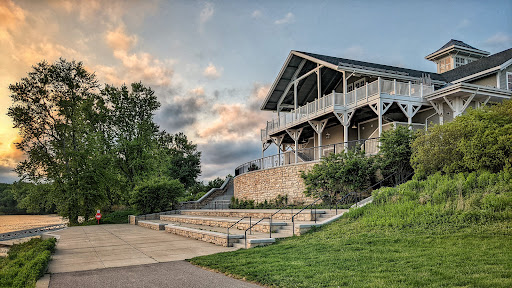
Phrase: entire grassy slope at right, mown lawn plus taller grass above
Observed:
(460, 237)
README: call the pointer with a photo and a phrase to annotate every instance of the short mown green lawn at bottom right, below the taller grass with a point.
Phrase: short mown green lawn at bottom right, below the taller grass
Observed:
(346, 254)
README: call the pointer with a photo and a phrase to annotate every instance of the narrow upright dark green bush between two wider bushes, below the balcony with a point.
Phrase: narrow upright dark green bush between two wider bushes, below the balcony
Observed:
(395, 153)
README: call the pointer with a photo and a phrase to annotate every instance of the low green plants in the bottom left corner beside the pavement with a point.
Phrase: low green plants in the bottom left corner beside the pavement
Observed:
(26, 263)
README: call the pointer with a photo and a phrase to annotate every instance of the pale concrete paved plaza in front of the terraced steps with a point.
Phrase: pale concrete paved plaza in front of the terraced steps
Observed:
(104, 246)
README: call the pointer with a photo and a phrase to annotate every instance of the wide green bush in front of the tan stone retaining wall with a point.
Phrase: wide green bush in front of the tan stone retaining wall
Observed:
(338, 174)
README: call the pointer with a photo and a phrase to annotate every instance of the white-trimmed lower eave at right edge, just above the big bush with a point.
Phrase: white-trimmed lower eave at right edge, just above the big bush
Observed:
(465, 89)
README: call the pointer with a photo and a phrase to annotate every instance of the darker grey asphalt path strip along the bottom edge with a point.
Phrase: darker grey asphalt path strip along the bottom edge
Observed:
(171, 274)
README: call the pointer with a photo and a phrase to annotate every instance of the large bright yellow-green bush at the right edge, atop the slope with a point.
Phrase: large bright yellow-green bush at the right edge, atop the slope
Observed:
(477, 140)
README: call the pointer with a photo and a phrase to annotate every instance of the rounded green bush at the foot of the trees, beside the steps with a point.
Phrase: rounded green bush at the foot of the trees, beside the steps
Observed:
(156, 195)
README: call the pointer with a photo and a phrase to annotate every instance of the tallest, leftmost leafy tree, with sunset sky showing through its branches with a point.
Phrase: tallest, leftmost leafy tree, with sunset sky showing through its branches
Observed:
(53, 110)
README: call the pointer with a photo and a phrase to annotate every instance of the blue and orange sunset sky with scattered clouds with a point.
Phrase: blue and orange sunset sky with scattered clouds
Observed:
(212, 63)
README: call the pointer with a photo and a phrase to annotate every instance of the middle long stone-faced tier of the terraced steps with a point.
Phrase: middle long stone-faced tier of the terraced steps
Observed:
(263, 226)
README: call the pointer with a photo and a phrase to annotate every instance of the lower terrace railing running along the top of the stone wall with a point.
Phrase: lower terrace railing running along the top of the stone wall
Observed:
(370, 146)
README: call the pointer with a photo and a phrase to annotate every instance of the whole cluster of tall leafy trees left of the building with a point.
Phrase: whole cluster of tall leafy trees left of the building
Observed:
(91, 146)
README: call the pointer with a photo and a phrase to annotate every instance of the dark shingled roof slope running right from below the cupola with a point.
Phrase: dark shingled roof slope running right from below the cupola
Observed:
(478, 66)
